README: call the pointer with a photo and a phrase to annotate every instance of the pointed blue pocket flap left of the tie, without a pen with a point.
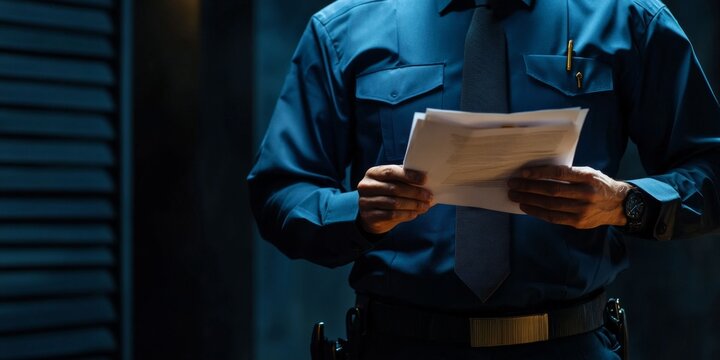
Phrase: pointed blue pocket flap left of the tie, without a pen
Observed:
(396, 85)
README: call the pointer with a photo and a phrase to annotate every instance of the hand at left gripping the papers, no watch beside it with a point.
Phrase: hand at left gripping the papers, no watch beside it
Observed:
(390, 195)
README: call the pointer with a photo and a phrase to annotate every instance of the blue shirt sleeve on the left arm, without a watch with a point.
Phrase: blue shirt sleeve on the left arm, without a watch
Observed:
(296, 185)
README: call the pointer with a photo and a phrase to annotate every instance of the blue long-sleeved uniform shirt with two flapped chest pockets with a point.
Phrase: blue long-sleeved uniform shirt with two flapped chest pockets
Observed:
(363, 67)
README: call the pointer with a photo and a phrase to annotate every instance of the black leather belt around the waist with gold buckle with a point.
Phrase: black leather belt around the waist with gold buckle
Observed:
(485, 331)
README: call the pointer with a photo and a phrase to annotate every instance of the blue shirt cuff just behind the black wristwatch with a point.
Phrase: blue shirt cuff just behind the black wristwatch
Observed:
(663, 206)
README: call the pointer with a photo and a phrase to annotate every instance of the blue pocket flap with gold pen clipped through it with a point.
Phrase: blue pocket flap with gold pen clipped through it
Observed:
(550, 69)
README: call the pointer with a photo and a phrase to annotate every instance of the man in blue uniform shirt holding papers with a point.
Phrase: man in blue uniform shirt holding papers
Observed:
(327, 185)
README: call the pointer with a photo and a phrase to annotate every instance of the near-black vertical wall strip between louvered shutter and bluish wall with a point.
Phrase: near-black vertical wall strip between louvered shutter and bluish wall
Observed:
(193, 124)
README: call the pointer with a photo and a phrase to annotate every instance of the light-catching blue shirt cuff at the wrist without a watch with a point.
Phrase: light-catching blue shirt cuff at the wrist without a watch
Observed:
(344, 208)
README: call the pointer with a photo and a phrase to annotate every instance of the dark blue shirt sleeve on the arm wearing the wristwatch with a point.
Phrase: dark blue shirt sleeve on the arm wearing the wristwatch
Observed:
(675, 123)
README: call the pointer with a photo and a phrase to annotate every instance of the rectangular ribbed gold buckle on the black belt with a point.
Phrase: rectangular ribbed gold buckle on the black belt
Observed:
(486, 332)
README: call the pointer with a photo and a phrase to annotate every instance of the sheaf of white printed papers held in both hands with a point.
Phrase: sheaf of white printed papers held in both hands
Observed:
(468, 157)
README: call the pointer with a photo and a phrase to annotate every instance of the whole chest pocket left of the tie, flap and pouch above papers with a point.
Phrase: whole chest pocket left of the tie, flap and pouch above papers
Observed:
(390, 98)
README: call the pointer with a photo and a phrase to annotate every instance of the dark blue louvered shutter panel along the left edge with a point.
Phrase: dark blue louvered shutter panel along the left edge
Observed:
(59, 99)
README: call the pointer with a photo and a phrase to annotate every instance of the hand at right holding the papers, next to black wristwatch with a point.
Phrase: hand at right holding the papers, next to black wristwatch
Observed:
(581, 197)
